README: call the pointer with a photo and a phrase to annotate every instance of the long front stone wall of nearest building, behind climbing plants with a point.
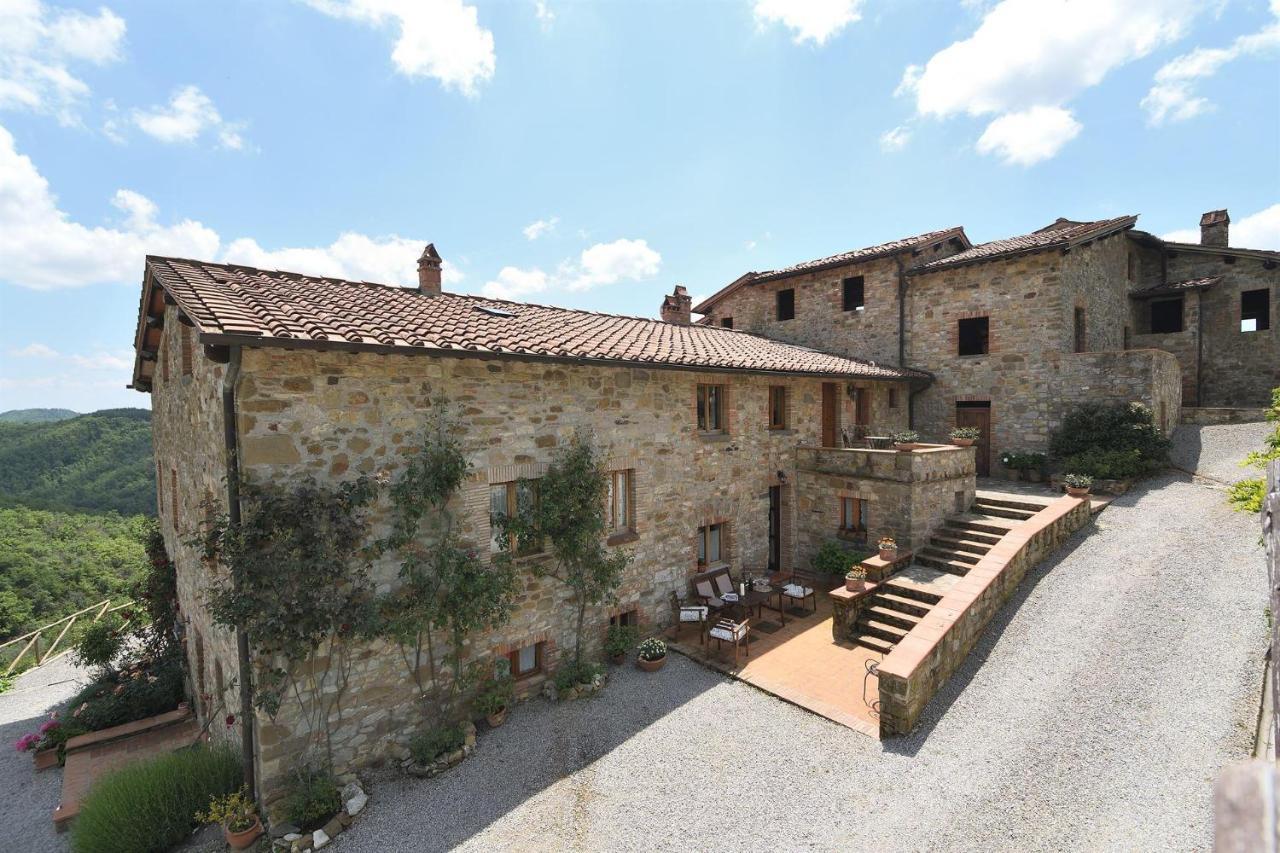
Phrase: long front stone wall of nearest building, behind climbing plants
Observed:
(337, 416)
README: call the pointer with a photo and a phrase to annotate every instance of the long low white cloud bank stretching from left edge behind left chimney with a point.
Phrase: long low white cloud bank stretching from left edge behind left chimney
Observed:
(43, 248)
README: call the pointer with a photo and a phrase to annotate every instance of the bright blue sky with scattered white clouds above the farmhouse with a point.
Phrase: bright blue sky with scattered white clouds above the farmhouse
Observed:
(588, 154)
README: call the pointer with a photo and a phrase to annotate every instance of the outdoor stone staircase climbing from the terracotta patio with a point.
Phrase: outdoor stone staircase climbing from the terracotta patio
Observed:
(900, 604)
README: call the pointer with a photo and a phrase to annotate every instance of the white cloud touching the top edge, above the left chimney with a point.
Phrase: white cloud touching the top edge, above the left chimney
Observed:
(440, 39)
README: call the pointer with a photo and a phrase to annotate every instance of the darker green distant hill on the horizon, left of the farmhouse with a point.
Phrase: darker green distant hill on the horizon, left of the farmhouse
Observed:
(98, 463)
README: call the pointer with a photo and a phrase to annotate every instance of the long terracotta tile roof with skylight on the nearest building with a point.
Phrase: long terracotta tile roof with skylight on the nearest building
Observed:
(246, 305)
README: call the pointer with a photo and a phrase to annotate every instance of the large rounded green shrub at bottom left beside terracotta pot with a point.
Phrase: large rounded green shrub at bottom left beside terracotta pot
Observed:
(152, 805)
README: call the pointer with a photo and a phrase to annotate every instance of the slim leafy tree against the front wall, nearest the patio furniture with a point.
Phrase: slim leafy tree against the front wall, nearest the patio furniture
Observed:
(570, 518)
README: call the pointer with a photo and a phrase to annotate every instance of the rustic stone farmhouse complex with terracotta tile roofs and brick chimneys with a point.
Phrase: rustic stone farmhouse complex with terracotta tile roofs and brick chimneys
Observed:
(724, 437)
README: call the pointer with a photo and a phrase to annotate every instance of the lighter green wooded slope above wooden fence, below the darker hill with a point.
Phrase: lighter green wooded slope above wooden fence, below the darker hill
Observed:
(53, 564)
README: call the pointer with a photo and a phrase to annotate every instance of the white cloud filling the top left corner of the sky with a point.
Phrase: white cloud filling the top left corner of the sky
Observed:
(36, 45)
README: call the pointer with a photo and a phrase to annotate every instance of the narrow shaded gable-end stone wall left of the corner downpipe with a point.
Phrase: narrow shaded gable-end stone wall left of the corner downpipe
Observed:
(188, 437)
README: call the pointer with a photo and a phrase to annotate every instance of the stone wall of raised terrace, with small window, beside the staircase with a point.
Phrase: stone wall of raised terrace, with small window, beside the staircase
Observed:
(908, 494)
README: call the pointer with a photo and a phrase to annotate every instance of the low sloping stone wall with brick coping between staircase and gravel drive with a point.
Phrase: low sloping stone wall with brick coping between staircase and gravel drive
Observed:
(922, 663)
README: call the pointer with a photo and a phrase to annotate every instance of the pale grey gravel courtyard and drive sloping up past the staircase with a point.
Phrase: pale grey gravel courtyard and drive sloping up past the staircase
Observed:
(1094, 715)
